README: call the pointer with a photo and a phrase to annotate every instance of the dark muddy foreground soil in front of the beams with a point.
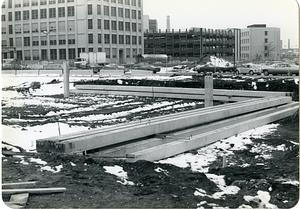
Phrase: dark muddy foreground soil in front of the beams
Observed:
(89, 186)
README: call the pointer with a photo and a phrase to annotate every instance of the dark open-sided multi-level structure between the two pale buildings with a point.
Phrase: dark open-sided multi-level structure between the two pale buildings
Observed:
(196, 43)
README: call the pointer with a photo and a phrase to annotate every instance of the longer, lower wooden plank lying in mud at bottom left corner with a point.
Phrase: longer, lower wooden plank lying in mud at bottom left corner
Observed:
(34, 191)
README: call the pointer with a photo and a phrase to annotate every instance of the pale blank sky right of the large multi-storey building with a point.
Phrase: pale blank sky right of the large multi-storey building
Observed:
(222, 14)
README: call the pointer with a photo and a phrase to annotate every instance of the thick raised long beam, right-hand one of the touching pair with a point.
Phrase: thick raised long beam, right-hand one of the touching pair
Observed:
(94, 141)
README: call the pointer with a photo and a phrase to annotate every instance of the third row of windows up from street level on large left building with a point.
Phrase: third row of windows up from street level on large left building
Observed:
(61, 26)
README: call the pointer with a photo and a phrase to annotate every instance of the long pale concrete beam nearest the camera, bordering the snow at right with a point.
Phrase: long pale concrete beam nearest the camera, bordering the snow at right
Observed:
(180, 146)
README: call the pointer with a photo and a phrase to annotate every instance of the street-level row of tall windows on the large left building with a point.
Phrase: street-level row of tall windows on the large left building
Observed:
(61, 54)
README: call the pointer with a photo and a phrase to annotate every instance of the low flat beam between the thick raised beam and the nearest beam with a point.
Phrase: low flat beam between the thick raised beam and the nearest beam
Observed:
(131, 147)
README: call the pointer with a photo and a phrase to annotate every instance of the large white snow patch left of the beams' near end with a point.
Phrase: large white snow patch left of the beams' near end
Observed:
(27, 137)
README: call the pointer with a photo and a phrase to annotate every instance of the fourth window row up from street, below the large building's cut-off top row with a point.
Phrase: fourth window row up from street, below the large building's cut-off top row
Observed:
(134, 14)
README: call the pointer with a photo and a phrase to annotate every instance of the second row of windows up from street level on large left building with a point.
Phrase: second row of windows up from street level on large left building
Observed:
(108, 39)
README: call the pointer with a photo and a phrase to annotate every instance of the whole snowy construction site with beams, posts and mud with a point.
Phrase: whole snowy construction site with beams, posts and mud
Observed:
(144, 140)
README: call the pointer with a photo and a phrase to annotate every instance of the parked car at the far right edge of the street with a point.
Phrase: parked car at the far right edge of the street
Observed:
(281, 68)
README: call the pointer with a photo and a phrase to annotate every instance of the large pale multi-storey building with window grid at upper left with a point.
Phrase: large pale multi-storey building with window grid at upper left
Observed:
(62, 29)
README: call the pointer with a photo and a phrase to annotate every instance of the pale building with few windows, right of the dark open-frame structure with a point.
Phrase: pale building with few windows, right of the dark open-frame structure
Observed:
(259, 43)
